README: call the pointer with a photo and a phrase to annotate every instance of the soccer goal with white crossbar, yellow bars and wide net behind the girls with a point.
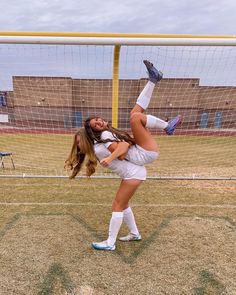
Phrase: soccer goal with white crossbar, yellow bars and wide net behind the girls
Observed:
(51, 82)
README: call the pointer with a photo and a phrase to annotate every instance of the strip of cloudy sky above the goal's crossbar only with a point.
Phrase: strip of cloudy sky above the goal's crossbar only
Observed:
(131, 16)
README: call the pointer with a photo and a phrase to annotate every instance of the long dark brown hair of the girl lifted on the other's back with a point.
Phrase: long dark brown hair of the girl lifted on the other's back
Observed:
(95, 136)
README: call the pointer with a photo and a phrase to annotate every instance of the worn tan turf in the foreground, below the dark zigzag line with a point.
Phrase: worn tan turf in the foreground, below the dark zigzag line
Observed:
(51, 254)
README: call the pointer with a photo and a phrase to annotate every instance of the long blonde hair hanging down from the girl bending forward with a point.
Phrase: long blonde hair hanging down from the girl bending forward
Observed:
(77, 155)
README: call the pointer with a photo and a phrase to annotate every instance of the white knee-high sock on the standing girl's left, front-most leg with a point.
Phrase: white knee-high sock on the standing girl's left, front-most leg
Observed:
(114, 227)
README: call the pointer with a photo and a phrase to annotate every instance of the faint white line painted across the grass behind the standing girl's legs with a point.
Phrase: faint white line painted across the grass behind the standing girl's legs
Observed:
(222, 206)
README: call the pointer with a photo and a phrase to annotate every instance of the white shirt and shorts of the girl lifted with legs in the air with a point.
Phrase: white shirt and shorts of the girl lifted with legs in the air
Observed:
(136, 154)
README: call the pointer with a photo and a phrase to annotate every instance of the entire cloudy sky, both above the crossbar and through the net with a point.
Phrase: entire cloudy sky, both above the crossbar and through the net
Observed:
(124, 16)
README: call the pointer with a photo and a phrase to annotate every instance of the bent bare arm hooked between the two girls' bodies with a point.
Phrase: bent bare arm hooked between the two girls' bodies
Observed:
(118, 151)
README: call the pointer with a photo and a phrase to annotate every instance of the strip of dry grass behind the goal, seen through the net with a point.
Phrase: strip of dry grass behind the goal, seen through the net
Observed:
(203, 156)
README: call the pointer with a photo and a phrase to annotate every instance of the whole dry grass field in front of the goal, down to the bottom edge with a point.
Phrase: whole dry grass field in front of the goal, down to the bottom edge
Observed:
(47, 226)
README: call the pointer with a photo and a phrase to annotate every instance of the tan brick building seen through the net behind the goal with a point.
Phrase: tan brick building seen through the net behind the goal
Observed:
(54, 101)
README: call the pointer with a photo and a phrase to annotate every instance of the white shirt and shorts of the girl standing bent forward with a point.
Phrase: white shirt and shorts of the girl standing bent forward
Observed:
(124, 169)
